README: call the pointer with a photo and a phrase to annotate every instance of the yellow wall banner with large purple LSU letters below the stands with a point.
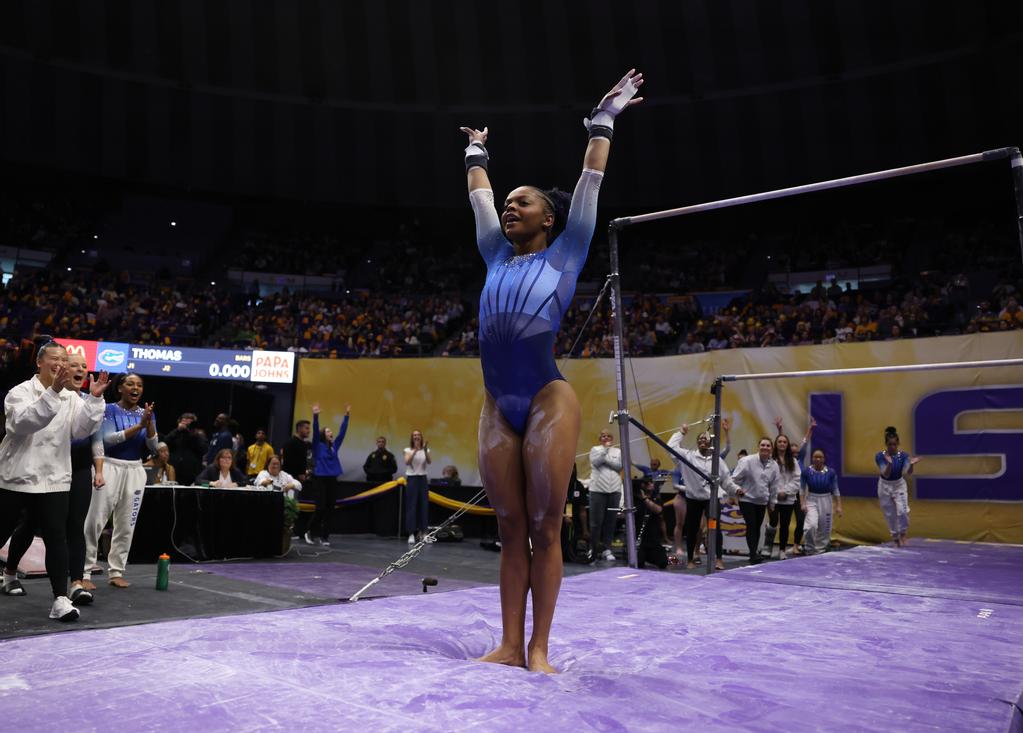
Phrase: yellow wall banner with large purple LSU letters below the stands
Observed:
(967, 425)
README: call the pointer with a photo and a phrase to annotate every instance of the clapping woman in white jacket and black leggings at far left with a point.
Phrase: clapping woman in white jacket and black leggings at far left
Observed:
(43, 416)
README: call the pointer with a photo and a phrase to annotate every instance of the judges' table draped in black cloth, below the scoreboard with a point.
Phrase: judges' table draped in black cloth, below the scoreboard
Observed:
(208, 524)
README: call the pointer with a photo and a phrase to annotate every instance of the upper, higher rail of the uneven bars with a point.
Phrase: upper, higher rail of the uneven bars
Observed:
(821, 187)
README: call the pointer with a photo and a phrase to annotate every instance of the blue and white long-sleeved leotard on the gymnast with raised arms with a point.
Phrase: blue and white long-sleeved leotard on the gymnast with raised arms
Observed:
(524, 299)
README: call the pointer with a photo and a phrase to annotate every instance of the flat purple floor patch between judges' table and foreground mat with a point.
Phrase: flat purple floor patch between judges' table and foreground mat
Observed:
(330, 580)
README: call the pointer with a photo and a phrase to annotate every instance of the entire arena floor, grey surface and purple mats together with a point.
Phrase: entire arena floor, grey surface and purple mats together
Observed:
(879, 639)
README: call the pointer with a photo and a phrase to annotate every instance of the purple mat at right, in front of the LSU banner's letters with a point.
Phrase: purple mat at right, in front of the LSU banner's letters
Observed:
(993, 574)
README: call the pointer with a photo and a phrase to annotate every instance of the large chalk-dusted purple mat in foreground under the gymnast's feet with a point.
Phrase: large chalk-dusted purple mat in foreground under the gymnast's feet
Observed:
(643, 652)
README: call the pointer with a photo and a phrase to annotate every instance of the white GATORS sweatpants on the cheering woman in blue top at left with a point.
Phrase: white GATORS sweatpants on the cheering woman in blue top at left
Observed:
(122, 498)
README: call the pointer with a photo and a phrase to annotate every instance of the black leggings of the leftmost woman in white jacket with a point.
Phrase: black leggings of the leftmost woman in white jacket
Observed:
(50, 514)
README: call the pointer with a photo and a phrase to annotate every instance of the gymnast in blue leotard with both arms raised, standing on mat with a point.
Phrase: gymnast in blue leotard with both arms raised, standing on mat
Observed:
(529, 428)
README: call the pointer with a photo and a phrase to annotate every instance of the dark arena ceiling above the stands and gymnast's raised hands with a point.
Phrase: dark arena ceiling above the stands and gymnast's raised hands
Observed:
(360, 102)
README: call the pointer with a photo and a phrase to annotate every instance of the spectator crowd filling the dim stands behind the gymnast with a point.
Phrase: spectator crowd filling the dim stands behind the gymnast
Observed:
(404, 291)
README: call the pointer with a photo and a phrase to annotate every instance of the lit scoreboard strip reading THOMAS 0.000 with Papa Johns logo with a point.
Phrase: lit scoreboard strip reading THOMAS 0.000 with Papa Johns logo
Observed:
(186, 362)
